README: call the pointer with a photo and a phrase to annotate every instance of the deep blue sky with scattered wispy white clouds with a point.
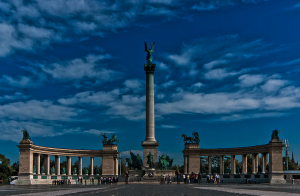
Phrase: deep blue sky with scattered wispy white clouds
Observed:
(228, 69)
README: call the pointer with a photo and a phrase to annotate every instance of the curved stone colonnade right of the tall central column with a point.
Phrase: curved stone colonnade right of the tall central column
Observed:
(271, 151)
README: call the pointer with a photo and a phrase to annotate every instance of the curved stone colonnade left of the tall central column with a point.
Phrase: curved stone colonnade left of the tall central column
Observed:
(30, 154)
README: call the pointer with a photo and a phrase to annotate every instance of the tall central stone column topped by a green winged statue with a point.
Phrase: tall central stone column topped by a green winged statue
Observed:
(150, 144)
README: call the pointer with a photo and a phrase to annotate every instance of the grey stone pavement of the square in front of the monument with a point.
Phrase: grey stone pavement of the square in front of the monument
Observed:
(154, 189)
